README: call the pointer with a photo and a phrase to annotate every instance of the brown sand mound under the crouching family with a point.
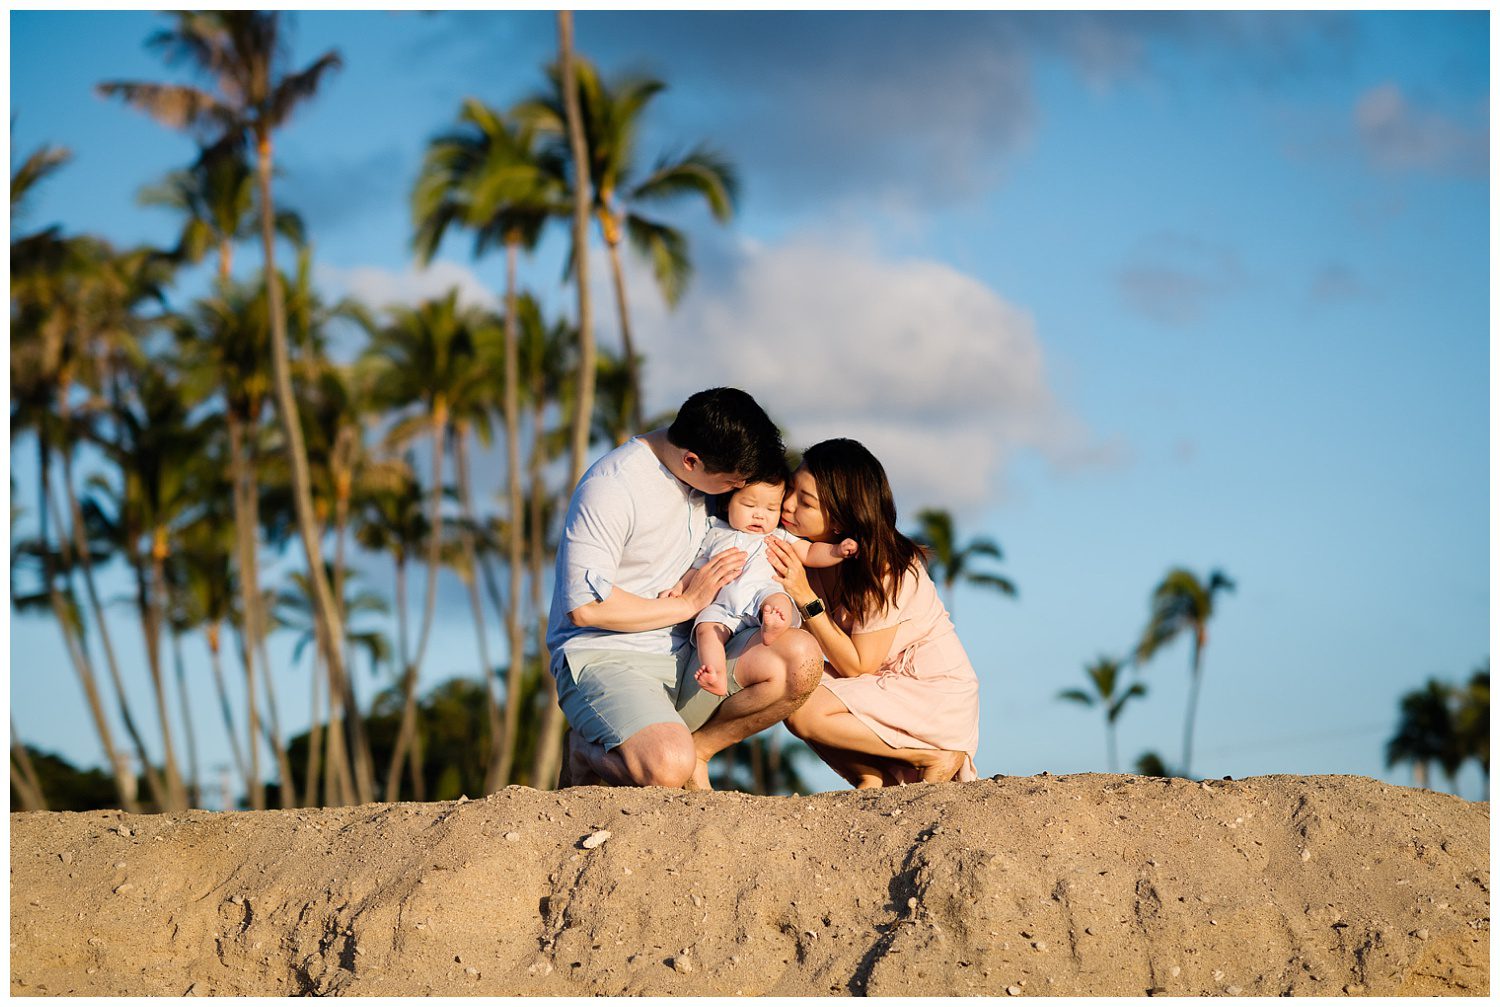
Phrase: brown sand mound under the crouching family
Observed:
(1013, 886)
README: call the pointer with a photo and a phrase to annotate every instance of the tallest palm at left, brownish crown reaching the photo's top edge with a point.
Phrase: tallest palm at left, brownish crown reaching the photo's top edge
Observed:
(244, 55)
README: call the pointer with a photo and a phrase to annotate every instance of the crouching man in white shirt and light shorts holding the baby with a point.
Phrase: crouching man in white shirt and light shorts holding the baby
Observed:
(622, 657)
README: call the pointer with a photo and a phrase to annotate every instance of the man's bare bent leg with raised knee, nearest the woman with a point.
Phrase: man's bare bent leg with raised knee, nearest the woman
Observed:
(775, 681)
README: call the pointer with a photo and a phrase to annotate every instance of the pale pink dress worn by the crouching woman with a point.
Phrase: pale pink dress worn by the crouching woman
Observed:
(926, 694)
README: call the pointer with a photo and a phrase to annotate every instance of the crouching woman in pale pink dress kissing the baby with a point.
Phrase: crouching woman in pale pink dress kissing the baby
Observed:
(899, 699)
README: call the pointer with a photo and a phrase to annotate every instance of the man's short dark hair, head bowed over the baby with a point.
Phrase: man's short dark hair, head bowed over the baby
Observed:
(733, 434)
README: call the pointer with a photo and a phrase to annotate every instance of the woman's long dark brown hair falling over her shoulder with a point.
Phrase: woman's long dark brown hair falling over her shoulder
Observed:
(857, 503)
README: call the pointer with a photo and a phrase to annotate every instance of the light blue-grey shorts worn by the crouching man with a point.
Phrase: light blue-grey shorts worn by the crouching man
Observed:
(610, 696)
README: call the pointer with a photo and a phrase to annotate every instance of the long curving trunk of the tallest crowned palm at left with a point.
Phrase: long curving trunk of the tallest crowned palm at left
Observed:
(326, 613)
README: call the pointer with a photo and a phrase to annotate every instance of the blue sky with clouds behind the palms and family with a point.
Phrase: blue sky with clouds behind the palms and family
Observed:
(1123, 292)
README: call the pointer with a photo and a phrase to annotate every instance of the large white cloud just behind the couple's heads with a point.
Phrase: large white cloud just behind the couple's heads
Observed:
(934, 371)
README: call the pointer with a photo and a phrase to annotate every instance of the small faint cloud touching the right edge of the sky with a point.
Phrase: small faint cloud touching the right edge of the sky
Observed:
(1399, 136)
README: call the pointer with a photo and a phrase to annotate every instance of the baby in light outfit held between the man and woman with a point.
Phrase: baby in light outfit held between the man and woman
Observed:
(755, 597)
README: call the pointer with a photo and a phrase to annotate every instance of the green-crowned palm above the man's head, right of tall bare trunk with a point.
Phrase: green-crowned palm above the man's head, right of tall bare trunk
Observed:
(611, 116)
